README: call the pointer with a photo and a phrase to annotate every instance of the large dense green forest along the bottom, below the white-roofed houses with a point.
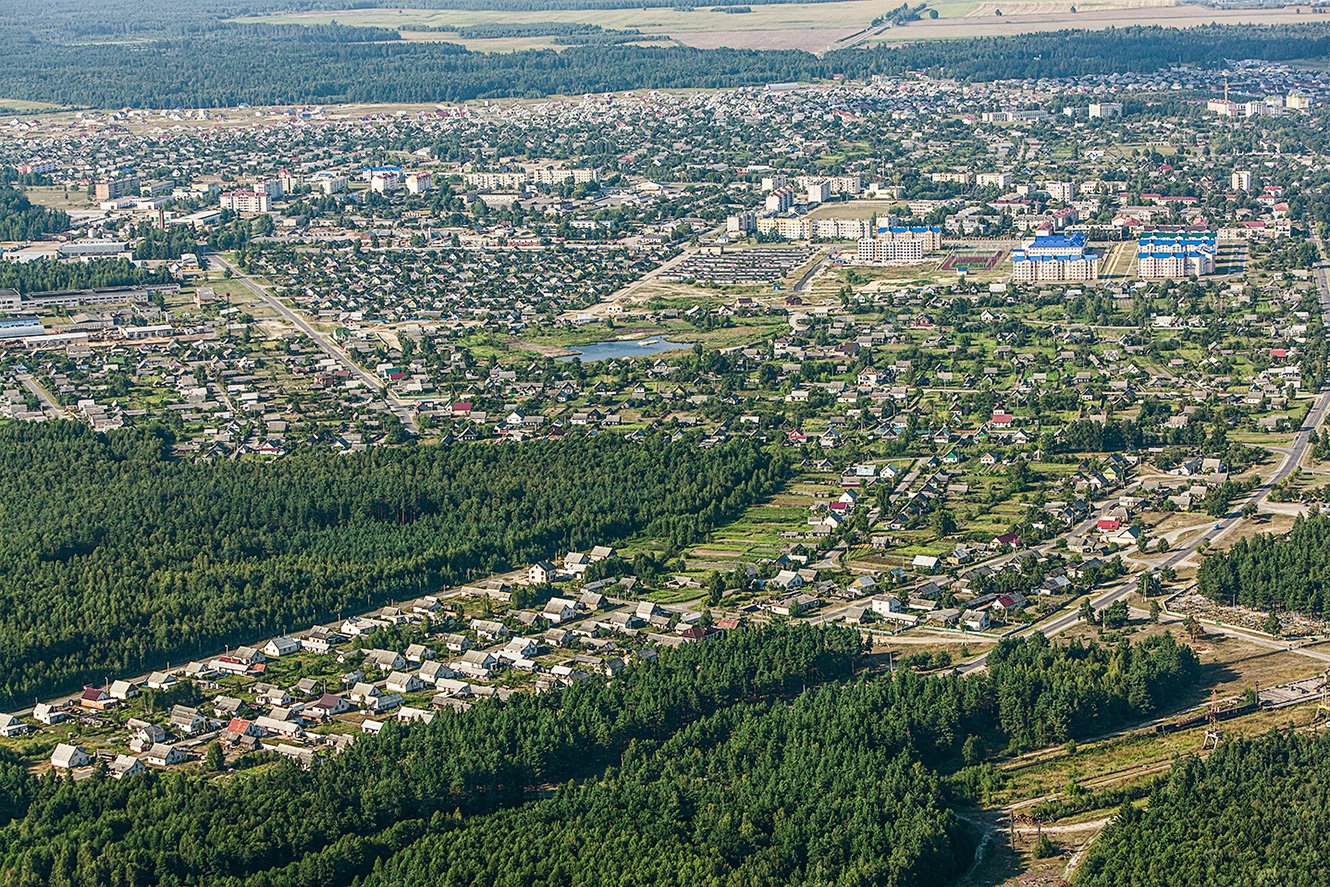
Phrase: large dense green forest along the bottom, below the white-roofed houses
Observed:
(764, 757)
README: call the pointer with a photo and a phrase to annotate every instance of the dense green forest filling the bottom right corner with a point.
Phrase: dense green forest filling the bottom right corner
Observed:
(1254, 813)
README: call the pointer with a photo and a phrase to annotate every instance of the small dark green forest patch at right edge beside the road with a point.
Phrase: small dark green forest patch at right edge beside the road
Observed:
(1272, 572)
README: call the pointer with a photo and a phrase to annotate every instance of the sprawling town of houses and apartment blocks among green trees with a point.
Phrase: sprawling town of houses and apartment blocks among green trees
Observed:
(1027, 350)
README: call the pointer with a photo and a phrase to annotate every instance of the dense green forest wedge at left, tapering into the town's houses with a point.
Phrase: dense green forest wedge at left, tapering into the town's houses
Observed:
(116, 558)
